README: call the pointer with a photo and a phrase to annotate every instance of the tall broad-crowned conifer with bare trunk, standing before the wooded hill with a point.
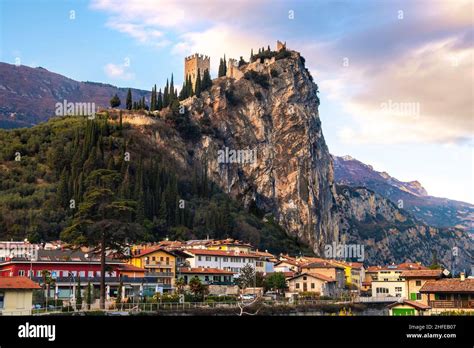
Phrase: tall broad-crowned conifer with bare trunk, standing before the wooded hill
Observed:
(103, 221)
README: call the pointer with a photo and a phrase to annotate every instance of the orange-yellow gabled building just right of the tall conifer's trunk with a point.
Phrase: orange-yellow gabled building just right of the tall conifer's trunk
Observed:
(157, 262)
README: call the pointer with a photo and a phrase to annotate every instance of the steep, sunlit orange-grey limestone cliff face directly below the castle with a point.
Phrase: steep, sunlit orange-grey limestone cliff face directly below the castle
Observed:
(274, 113)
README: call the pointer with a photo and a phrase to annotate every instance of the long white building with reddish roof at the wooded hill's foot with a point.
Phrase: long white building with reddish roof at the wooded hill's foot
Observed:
(227, 260)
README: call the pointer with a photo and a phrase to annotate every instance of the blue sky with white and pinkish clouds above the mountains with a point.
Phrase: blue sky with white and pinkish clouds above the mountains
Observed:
(395, 77)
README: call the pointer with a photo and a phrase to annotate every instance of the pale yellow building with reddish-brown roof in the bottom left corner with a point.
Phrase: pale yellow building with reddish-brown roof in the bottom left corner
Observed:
(16, 295)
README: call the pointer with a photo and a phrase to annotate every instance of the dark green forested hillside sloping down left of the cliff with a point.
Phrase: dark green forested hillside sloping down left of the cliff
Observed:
(47, 173)
